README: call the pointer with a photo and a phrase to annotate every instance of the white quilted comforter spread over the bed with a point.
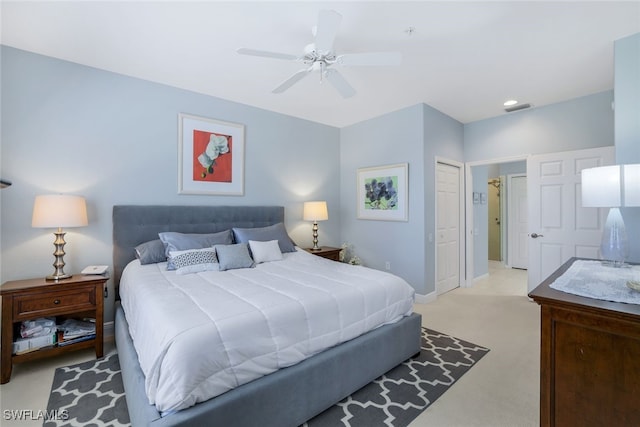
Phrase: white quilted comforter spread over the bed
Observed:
(200, 335)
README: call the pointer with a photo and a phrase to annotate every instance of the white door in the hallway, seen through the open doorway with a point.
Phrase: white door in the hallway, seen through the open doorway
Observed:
(518, 246)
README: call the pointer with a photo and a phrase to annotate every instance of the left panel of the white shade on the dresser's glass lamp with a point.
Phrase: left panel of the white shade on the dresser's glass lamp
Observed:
(601, 187)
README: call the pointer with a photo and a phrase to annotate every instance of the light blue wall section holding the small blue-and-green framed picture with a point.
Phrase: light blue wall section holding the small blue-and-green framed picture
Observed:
(393, 138)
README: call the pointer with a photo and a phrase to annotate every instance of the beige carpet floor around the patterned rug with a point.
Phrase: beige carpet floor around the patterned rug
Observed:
(501, 389)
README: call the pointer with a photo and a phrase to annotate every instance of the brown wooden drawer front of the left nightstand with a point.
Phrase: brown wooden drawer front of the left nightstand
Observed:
(49, 304)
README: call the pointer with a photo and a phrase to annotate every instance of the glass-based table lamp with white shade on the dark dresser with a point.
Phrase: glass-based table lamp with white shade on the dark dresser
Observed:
(612, 187)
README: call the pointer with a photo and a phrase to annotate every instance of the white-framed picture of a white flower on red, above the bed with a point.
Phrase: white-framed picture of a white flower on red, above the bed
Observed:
(210, 156)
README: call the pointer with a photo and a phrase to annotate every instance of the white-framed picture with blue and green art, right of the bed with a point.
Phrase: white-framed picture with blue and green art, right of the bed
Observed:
(383, 192)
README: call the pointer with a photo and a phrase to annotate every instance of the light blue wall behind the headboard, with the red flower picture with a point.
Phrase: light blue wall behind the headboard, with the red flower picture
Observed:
(68, 128)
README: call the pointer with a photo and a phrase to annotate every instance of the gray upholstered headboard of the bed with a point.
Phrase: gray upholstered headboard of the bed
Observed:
(134, 224)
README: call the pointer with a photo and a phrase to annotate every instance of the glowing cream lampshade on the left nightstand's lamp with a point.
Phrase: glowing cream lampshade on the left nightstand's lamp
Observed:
(53, 211)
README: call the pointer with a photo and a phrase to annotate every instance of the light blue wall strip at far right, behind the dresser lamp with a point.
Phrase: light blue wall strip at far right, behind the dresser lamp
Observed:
(627, 123)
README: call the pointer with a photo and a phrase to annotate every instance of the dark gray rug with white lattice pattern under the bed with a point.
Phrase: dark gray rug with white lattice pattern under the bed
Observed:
(91, 393)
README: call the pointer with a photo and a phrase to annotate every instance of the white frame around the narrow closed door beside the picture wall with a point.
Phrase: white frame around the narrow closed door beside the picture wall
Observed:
(461, 224)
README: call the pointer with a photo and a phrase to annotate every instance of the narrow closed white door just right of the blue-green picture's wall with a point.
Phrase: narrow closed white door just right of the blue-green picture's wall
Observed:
(448, 227)
